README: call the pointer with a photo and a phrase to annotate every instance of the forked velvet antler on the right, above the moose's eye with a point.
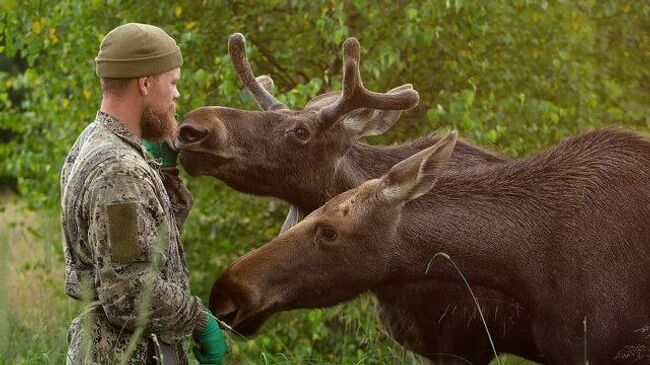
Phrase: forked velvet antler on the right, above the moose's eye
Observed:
(356, 96)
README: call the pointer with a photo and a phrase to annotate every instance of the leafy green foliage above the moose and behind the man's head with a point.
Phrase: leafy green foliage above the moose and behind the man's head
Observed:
(518, 75)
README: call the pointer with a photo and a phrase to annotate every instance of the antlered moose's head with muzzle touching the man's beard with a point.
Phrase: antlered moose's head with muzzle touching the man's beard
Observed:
(293, 148)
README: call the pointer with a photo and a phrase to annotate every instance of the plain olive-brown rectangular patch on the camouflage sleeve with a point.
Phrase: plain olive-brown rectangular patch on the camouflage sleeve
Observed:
(123, 232)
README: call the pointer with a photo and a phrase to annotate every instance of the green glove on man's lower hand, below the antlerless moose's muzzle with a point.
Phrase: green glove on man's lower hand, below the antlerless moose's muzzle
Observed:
(211, 347)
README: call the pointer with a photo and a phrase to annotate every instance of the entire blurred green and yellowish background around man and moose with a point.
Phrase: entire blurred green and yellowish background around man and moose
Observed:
(513, 76)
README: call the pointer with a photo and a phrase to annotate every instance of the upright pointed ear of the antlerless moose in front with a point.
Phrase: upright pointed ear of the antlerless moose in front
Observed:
(416, 175)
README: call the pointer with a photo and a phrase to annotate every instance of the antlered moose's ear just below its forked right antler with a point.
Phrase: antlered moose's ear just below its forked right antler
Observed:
(372, 122)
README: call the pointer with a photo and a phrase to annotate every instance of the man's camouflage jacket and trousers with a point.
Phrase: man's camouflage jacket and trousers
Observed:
(122, 249)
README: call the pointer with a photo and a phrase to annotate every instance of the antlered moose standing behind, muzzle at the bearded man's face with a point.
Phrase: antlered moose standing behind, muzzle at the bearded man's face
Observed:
(307, 159)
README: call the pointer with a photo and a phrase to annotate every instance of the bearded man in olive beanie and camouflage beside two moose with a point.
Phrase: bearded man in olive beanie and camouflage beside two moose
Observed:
(120, 231)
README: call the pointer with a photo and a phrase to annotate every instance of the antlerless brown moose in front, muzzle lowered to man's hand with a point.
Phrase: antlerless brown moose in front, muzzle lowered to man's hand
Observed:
(565, 233)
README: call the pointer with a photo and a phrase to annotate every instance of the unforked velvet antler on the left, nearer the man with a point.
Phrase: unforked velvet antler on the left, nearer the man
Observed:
(237, 49)
